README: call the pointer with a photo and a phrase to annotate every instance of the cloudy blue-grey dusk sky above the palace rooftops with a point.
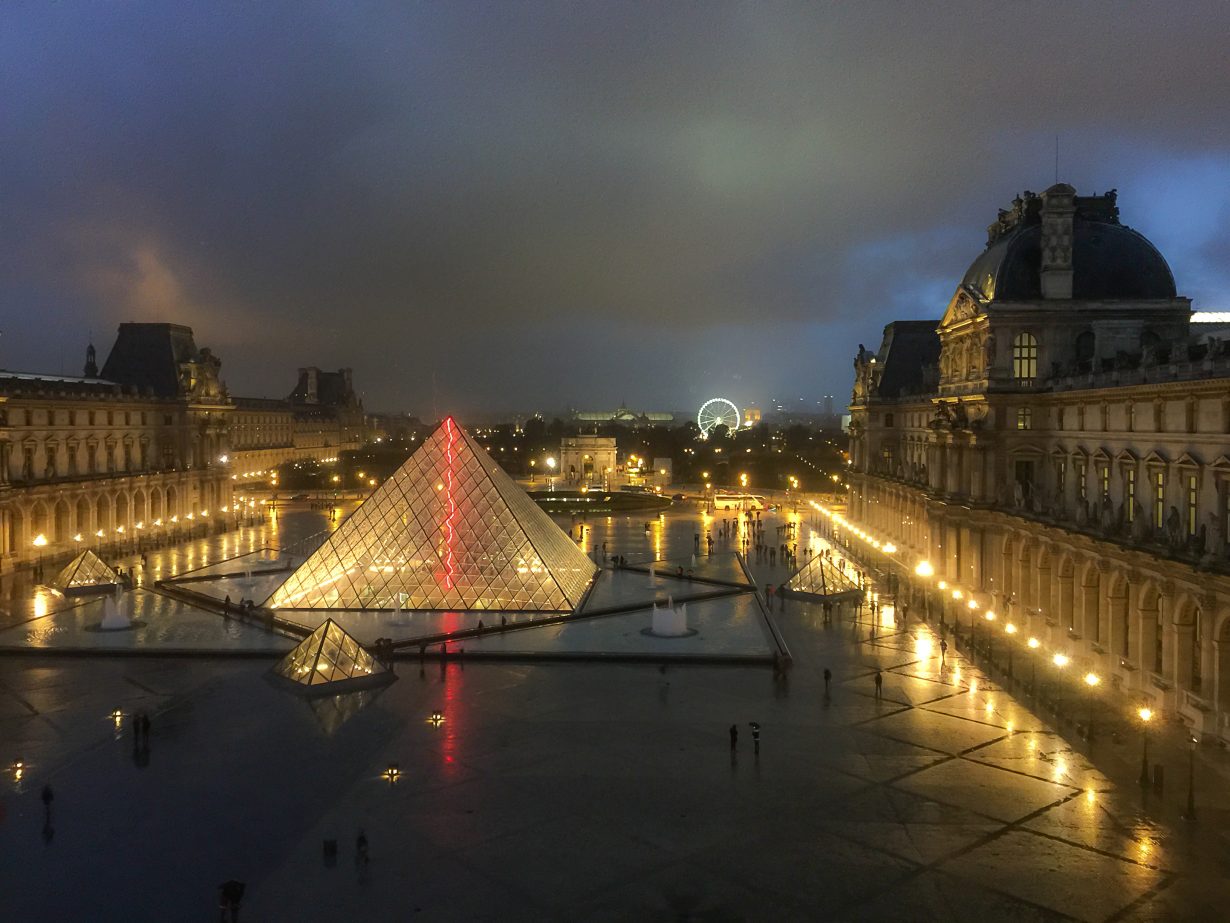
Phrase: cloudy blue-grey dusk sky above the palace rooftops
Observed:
(539, 206)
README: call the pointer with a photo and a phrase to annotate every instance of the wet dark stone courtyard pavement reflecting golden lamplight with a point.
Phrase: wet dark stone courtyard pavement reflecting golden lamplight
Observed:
(582, 791)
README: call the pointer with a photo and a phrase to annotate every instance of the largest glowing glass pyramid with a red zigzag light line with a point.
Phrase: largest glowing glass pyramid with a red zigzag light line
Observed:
(450, 531)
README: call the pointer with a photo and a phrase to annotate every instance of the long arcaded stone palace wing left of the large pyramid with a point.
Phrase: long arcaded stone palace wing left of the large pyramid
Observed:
(149, 445)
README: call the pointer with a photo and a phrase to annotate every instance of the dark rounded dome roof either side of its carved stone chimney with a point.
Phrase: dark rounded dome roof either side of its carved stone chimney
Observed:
(1110, 262)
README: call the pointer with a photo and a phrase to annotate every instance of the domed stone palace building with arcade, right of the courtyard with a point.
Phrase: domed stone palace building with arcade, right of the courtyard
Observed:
(1060, 451)
